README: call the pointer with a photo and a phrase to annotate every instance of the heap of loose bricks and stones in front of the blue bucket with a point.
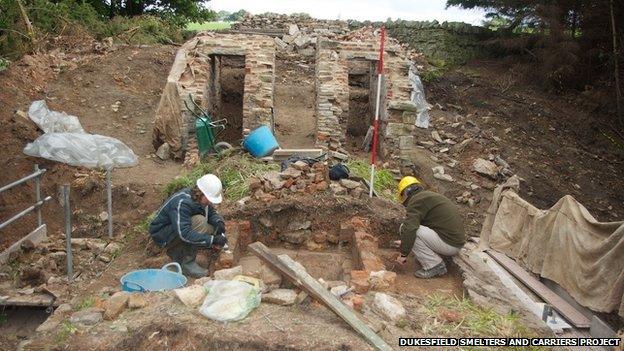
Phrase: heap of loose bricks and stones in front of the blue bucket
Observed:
(298, 178)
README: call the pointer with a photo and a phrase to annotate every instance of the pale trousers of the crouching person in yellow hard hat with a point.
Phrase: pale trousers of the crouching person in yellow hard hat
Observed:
(428, 247)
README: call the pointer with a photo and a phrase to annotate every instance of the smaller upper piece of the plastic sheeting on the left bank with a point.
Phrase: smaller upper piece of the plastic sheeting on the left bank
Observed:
(52, 121)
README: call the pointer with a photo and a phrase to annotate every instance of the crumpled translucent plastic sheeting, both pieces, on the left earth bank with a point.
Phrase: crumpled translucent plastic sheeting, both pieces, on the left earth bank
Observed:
(65, 141)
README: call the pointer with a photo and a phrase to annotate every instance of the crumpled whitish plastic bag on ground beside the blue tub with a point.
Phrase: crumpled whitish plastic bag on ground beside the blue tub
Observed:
(229, 300)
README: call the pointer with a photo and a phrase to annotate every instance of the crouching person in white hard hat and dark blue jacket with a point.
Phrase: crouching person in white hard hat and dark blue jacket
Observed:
(188, 221)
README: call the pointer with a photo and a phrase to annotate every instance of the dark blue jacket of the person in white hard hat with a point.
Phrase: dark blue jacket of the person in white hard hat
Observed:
(173, 219)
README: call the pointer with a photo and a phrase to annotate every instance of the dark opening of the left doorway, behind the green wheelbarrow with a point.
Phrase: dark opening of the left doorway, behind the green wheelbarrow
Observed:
(226, 93)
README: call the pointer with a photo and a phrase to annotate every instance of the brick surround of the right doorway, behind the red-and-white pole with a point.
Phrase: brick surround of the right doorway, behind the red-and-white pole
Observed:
(397, 113)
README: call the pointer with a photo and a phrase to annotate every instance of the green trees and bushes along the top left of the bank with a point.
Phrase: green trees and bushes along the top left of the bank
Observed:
(135, 22)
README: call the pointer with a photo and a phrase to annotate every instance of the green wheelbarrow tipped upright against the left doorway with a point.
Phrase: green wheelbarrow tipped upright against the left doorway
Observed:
(207, 130)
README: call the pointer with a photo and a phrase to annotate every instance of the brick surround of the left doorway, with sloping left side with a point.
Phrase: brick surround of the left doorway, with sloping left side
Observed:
(190, 73)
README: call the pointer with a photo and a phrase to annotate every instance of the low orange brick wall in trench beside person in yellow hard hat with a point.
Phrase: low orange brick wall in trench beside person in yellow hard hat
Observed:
(372, 273)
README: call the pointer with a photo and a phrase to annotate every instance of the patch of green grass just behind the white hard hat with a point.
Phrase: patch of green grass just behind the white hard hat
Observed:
(234, 170)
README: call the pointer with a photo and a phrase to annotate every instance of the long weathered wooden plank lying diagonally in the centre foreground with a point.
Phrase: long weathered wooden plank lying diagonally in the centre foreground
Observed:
(298, 275)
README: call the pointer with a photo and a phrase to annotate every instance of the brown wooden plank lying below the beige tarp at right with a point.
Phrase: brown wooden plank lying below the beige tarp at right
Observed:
(559, 304)
